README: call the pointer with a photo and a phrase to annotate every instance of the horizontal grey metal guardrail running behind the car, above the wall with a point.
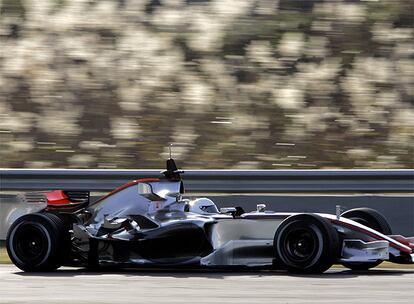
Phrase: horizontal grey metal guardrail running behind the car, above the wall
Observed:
(214, 181)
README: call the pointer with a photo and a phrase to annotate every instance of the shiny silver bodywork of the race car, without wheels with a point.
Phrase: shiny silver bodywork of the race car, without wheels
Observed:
(245, 240)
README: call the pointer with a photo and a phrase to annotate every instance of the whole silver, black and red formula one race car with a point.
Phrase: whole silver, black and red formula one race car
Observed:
(147, 222)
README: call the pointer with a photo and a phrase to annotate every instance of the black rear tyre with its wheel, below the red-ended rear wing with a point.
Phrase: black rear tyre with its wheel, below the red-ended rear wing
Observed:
(38, 242)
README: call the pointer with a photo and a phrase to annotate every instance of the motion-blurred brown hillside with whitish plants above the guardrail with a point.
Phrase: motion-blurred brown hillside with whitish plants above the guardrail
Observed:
(232, 83)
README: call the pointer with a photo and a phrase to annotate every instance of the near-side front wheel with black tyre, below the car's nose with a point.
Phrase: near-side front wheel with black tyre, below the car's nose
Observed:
(306, 243)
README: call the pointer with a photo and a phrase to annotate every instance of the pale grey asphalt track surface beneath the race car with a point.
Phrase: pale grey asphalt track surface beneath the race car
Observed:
(70, 285)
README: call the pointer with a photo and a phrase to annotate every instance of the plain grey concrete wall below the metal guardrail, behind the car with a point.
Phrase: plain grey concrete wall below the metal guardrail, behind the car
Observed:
(398, 209)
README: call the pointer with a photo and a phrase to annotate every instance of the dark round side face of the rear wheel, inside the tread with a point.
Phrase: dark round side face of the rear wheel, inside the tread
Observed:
(31, 243)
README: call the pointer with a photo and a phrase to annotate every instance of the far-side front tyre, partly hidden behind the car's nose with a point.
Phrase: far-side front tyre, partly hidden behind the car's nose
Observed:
(372, 219)
